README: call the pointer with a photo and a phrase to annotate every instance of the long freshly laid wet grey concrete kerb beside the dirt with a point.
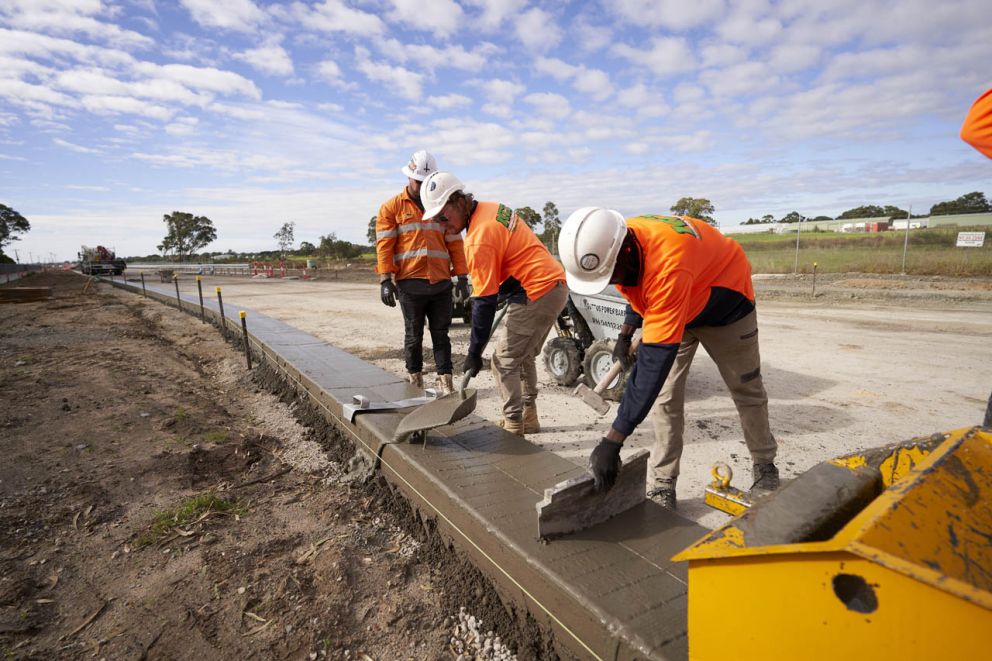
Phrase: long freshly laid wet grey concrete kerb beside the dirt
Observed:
(608, 592)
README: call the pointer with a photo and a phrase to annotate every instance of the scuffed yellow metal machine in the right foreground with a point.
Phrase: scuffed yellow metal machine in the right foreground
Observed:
(884, 554)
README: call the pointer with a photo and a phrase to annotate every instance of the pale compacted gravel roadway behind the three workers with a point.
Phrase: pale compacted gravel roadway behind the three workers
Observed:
(869, 361)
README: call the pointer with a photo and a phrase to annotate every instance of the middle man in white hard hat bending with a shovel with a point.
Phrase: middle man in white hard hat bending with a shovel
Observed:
(503, 255)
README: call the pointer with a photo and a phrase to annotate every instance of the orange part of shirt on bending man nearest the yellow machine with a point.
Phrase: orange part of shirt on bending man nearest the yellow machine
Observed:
(682, 259)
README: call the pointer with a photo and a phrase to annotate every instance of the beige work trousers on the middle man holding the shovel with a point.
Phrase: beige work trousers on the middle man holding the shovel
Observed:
(514, 359)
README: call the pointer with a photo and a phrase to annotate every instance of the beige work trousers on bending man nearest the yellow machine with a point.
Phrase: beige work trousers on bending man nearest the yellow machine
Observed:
(734, 349)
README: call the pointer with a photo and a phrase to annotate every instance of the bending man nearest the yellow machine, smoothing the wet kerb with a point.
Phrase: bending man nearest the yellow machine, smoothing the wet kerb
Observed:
(688, 285)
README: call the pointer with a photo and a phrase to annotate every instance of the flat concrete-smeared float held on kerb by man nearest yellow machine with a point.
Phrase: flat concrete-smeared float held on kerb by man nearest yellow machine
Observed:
(574, 504)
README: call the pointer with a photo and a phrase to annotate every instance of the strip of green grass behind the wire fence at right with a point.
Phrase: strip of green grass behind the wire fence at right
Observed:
(930, 252)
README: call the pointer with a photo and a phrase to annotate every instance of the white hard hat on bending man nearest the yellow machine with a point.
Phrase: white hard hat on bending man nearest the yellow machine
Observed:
(589, 243)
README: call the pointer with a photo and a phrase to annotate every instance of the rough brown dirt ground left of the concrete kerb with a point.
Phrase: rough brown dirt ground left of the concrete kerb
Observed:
(116, 411)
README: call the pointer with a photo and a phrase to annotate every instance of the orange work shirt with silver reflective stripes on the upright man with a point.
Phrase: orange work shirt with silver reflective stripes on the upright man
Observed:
(411, 247)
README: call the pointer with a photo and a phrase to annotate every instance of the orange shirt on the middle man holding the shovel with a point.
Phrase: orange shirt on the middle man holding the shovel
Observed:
(499, 245)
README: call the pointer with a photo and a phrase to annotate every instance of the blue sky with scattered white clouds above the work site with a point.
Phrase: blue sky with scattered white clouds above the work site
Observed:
(114, 113)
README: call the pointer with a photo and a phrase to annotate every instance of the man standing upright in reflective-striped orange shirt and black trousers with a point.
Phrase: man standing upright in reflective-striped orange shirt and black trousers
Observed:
(415, 263)
